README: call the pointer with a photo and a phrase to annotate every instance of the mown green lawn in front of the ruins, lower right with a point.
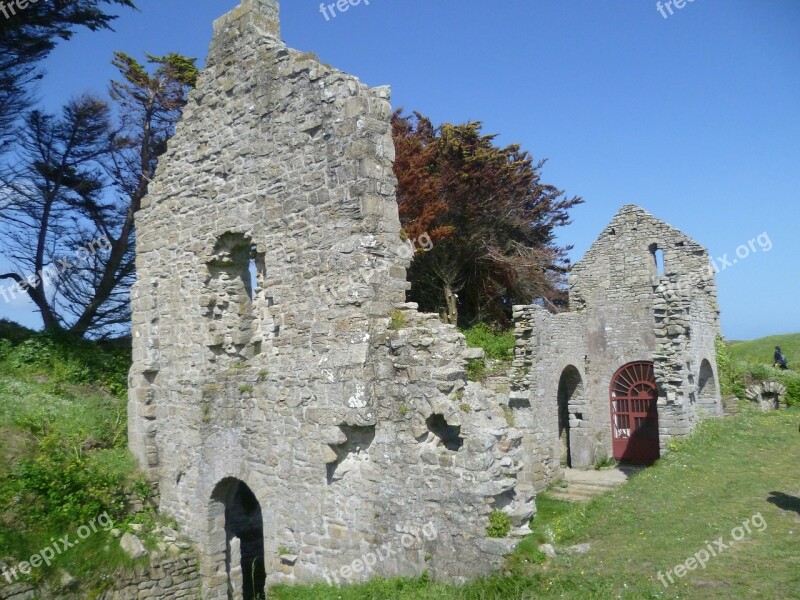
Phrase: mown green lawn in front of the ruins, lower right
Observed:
(723, 475)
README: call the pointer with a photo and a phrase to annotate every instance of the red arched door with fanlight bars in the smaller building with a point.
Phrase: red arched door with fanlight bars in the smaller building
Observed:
(634, 413)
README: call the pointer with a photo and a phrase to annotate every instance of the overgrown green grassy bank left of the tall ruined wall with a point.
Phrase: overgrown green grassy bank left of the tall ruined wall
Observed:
(63, 454)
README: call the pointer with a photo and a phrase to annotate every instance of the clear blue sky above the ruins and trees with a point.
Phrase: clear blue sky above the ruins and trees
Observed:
(695, 117)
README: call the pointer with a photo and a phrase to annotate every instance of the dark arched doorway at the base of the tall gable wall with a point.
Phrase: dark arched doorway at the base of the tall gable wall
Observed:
(242, 531)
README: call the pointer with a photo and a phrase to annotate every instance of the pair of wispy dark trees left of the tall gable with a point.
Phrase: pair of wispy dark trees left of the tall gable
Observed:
(81, 178)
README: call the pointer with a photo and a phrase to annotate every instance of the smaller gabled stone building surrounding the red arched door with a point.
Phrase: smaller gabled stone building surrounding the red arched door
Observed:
(624, 310)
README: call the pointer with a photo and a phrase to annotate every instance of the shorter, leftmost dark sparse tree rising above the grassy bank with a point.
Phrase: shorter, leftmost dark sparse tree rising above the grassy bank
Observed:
(58, 179)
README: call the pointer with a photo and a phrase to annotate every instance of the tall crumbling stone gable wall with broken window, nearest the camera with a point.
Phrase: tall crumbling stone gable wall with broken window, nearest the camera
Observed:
(272, 345)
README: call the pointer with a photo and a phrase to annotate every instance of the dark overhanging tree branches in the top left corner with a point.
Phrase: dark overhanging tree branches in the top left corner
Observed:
(29, 35)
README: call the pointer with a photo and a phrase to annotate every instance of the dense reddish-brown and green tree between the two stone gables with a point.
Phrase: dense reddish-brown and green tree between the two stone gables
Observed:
(491, 218)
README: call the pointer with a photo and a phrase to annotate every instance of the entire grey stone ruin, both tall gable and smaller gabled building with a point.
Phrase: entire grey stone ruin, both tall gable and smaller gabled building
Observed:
(301, 421)
